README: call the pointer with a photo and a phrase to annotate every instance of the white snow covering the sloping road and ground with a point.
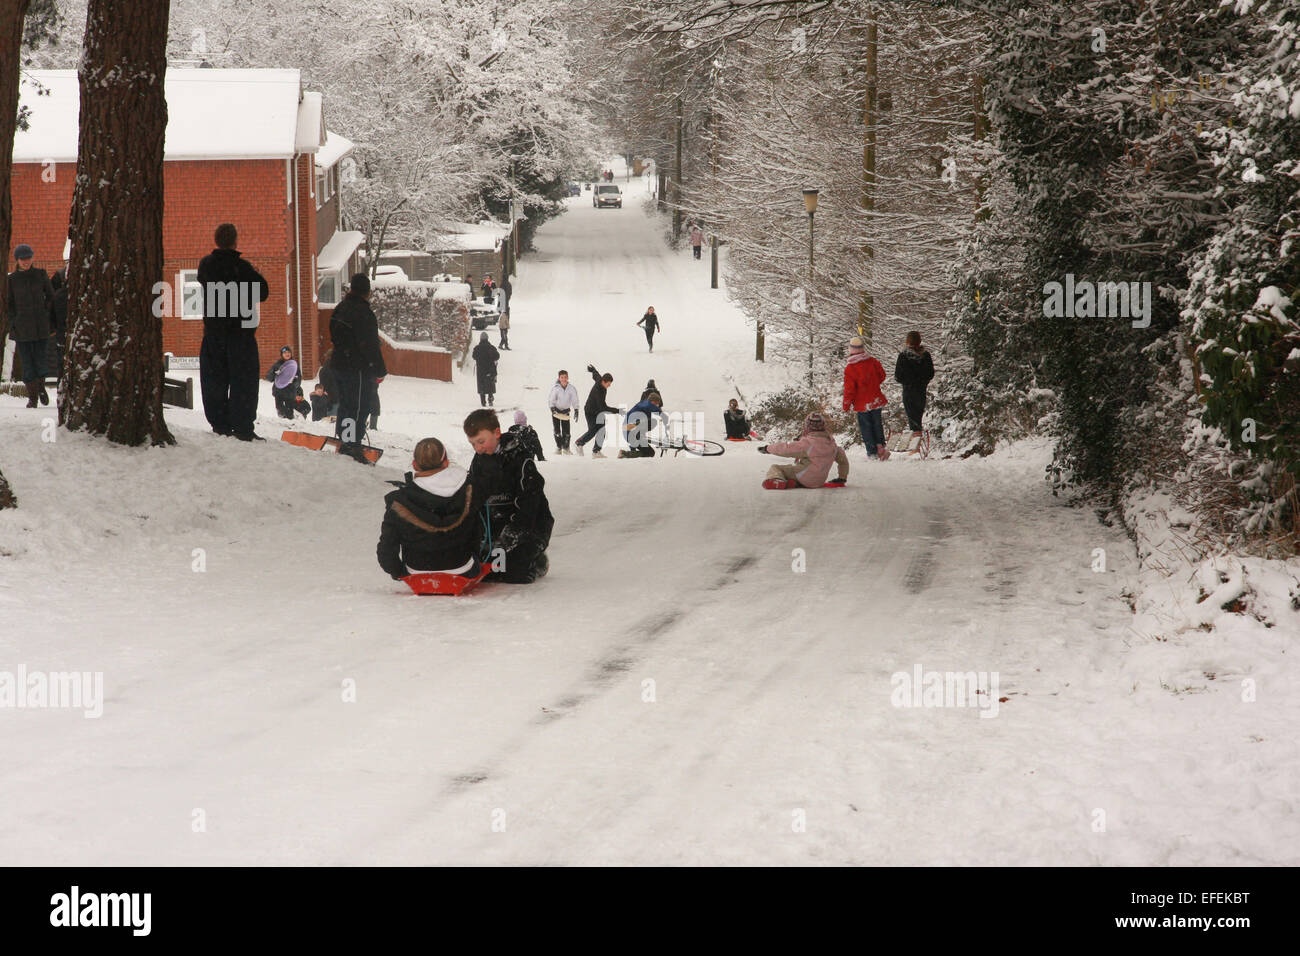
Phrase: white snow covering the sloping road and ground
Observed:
(521, 725)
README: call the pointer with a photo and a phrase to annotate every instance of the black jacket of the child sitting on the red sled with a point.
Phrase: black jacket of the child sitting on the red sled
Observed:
(428, 533)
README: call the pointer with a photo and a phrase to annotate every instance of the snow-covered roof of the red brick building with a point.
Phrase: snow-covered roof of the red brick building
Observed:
(213, 114)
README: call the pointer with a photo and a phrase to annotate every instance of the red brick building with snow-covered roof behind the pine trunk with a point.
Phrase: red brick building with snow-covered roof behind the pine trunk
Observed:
(242, 146)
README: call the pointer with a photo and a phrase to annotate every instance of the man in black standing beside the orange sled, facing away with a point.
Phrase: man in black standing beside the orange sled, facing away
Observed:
(358, 365)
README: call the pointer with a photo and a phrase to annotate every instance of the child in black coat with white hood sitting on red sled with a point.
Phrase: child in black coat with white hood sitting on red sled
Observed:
(431, 522)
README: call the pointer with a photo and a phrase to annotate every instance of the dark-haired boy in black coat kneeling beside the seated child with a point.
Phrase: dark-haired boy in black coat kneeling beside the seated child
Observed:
(515, 495)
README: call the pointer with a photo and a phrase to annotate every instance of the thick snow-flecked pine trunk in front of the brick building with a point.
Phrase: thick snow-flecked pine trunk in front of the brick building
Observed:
(115, 353)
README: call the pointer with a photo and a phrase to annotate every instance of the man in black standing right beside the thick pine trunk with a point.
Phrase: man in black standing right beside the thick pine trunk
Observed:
(229, 369)
